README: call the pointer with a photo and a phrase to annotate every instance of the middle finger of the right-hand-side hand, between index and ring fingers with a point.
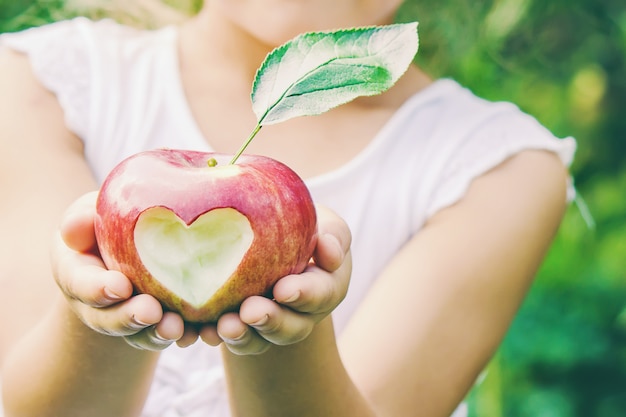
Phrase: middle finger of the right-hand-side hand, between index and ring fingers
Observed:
(274, 323)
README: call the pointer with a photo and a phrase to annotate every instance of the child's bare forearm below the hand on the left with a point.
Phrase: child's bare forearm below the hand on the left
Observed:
(63, 368)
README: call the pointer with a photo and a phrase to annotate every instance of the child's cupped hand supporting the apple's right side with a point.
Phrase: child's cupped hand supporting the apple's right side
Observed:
(300, 301)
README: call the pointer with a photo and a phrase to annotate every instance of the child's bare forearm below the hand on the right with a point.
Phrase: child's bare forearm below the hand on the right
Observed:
(304, 379)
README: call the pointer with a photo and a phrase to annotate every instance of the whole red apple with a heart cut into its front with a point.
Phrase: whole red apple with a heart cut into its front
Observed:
(201, 234)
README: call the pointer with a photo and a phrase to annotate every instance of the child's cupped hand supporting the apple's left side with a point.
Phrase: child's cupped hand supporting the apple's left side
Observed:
(103, 299)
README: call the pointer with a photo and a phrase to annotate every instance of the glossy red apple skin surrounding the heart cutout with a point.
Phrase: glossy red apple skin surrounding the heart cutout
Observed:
(270, 195)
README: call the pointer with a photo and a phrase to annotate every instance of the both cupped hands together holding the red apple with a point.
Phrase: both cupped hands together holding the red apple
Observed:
(103, 299)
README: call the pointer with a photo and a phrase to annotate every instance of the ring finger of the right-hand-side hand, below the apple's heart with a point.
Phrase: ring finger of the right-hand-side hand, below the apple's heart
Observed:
(238, 337)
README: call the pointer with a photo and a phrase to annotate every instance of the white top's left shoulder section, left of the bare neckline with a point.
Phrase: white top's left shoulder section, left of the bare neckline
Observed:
(112, 81)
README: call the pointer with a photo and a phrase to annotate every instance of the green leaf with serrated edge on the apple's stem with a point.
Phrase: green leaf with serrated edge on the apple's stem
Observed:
(317, 71)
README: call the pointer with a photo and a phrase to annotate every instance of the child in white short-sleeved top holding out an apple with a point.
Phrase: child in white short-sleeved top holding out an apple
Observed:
(446, 205)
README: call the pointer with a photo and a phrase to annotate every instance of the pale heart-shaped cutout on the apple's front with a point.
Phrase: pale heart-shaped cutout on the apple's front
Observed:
(193, 261)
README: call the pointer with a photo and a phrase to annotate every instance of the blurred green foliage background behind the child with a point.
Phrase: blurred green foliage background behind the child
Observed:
(563, 61)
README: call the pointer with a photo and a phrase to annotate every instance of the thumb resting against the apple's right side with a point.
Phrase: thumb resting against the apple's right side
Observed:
(334, 239)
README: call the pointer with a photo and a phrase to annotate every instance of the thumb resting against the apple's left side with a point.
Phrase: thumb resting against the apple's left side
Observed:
(76, 227)
